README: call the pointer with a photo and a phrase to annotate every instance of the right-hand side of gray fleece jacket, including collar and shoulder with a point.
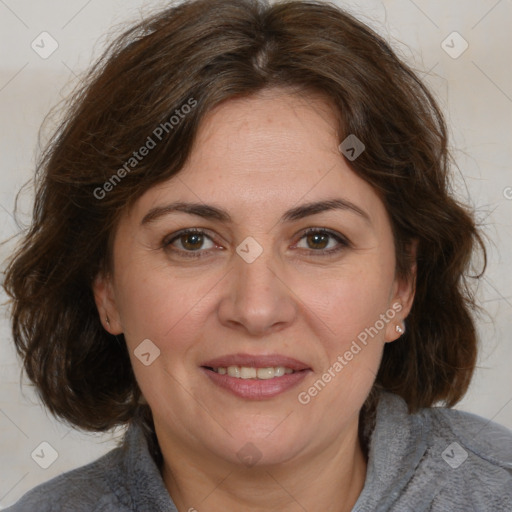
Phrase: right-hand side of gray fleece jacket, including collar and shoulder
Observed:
(437, 459)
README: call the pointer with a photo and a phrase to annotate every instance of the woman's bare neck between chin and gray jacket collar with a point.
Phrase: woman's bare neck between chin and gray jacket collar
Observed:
(329, 480)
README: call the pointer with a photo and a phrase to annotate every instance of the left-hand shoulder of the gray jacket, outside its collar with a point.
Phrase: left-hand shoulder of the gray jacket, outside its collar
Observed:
(86, 489)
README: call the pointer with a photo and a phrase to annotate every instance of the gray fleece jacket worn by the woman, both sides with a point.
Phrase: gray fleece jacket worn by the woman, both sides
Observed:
(438, 460)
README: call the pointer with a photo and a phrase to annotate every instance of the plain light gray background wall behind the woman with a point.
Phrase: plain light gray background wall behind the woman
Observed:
(475, 91)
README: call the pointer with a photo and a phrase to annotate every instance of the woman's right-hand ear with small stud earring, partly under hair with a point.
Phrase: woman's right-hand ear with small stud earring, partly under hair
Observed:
(402, 296)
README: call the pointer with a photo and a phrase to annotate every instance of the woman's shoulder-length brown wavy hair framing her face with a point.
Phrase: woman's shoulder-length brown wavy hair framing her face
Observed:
(207, 52)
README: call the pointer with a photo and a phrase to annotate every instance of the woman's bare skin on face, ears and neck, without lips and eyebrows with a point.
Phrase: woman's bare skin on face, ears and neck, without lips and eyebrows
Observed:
(256, 158)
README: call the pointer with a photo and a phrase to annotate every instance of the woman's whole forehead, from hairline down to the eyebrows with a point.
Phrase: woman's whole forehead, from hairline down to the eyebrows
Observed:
(264, 154)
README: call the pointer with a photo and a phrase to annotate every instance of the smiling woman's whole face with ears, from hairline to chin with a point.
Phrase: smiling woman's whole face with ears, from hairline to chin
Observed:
(253, 289)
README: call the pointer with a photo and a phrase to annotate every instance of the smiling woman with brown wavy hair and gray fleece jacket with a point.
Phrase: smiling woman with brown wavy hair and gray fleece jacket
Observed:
(244, 248)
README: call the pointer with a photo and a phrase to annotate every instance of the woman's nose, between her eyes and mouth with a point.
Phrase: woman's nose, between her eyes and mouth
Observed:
(257, 298)
